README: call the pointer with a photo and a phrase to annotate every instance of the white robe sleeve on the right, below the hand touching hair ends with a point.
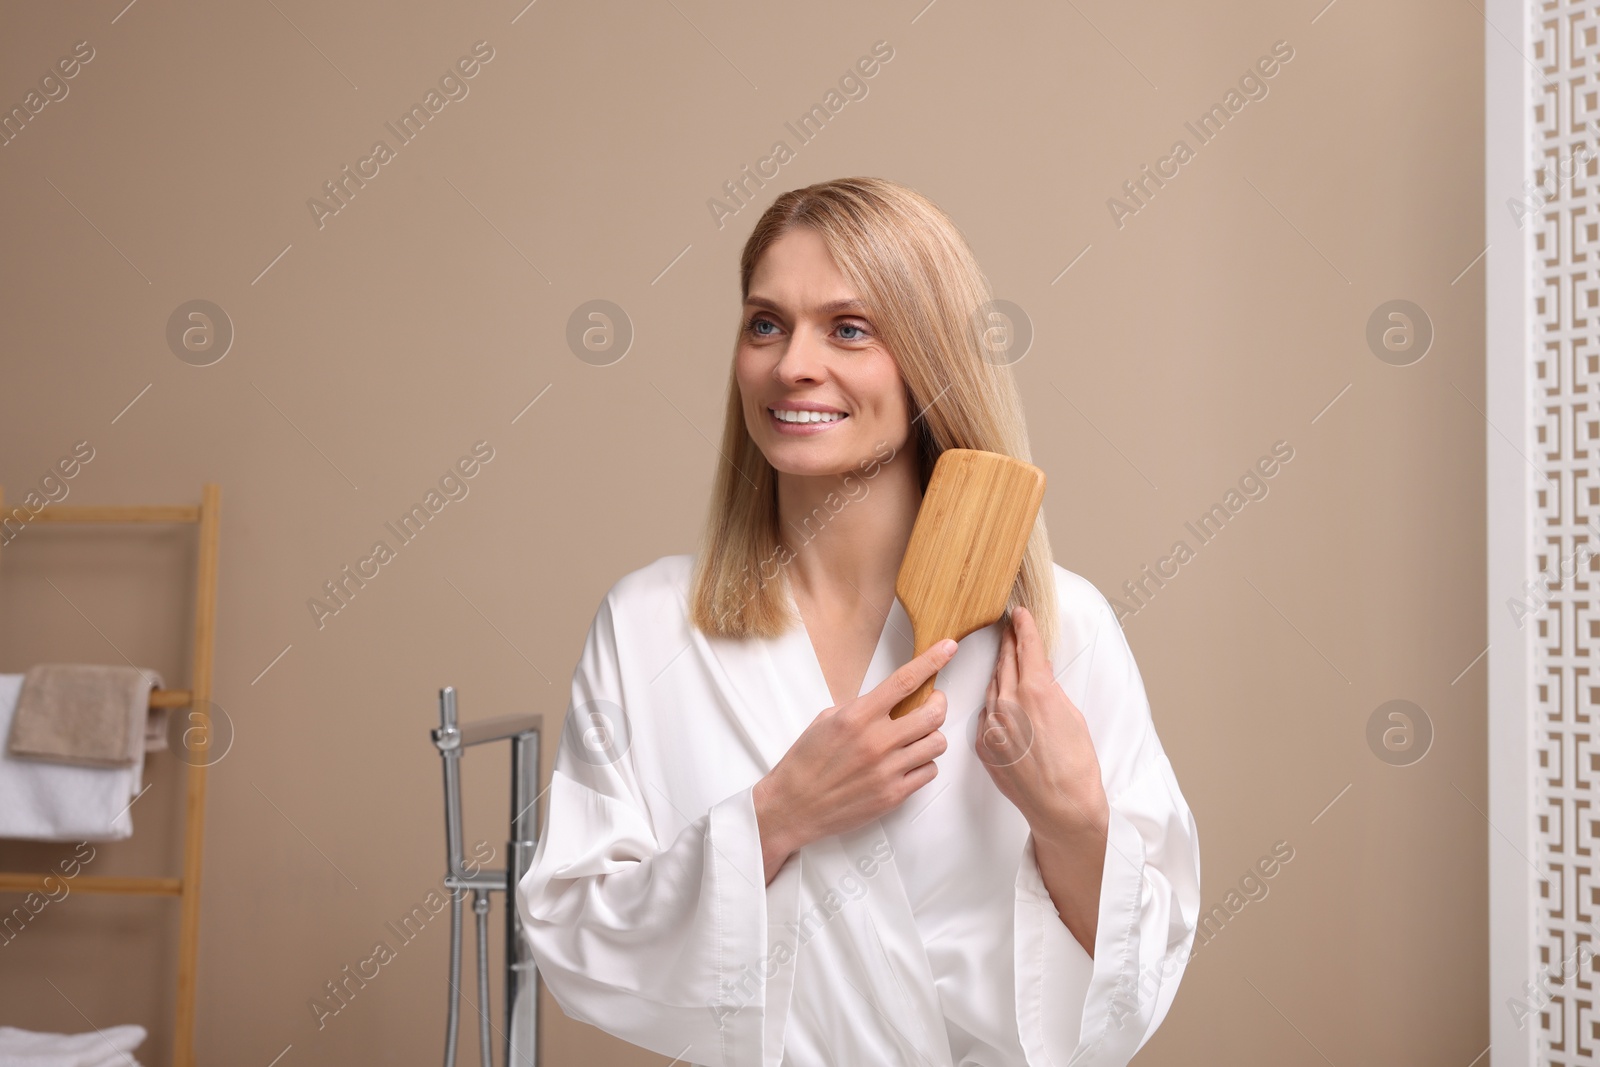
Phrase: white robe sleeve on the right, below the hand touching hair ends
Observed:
(1100, 1012)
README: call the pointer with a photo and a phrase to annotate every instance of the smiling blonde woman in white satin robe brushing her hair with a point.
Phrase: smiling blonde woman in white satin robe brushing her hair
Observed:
(746, 860)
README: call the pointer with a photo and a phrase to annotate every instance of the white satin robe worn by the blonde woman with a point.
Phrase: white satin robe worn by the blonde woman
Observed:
(926, 937)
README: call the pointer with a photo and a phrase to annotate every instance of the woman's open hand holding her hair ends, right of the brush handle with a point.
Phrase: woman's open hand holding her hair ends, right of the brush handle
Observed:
(1036, 743)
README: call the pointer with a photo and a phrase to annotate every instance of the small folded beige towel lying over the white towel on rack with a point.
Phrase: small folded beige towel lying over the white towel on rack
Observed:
(86, 714)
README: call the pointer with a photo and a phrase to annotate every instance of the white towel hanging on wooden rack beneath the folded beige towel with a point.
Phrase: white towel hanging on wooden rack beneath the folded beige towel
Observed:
(60, 802)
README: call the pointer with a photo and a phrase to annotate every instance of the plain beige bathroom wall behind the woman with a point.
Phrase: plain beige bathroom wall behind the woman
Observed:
(1220, 319)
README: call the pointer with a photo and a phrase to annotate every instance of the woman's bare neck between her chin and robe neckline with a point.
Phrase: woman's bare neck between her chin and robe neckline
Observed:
(849, 532)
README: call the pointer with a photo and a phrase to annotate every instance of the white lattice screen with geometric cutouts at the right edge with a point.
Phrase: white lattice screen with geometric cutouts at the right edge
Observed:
(1566, 422)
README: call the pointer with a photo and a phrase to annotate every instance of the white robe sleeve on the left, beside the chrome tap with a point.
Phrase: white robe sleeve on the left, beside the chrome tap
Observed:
(662, 941)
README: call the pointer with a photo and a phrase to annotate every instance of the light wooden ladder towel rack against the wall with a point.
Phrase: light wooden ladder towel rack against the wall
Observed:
(199, 703)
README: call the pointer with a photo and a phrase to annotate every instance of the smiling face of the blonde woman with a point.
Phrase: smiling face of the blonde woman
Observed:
(810, 351)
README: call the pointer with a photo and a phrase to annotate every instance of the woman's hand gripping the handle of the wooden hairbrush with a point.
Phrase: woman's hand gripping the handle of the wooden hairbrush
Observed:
(854, 764)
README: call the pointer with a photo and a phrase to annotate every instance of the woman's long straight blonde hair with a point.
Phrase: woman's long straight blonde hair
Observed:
(924, 292)
